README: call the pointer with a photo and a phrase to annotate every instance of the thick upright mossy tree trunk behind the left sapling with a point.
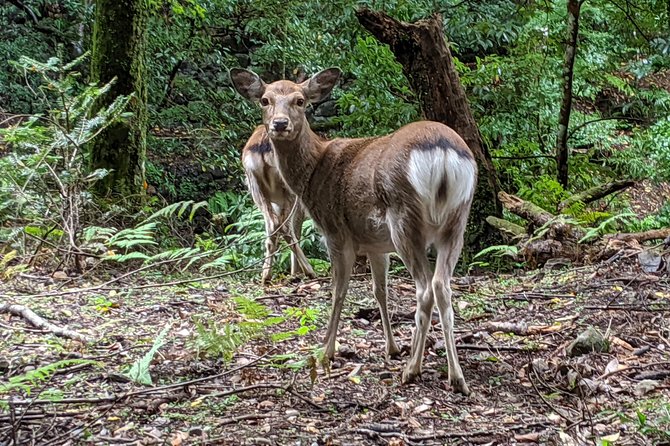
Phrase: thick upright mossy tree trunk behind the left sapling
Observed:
(119, 51)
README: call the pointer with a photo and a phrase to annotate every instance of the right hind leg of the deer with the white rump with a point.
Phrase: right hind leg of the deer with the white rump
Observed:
(447, 256)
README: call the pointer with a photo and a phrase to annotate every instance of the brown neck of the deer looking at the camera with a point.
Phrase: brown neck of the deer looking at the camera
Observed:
(297, 159)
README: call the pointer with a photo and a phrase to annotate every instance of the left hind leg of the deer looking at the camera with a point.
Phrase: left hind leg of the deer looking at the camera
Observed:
(410, 245)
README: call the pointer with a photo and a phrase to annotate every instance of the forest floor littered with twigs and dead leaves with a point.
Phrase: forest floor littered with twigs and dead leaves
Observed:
(526, 388)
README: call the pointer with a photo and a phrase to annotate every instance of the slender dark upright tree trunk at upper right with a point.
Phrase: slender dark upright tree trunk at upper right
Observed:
(566, 104)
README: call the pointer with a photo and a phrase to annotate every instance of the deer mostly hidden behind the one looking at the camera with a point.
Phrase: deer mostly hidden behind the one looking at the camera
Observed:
(282, 212)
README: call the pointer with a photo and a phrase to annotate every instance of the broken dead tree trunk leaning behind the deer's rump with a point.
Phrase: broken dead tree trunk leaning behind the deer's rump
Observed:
(427, 63)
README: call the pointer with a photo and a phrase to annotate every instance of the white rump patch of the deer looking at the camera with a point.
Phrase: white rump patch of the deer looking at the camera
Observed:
(428, 170)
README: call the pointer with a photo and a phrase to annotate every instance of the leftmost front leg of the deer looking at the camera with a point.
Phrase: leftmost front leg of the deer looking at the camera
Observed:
(342, 260)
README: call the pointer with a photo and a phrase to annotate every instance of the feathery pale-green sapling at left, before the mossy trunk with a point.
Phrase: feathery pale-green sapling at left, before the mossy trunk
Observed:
(45, 181)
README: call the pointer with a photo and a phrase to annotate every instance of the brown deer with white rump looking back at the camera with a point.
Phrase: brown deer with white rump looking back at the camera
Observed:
(402, 192)
